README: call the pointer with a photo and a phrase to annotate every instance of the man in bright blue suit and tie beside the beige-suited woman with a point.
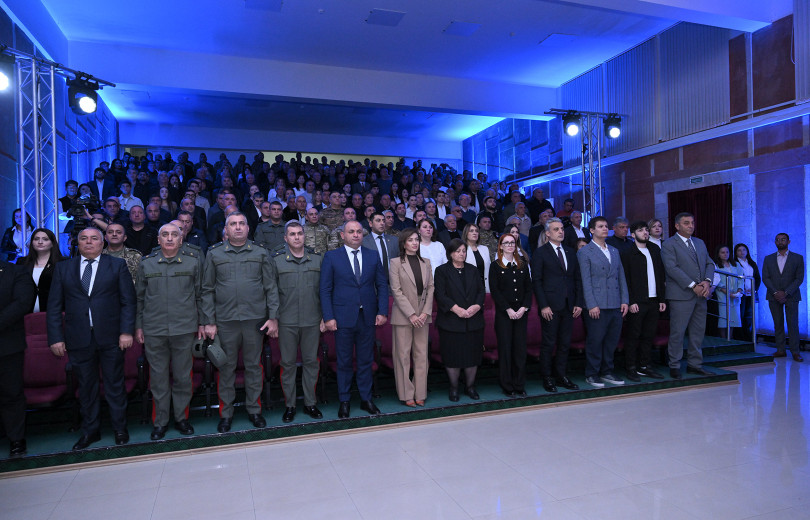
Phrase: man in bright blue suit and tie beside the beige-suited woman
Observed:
(354, 299)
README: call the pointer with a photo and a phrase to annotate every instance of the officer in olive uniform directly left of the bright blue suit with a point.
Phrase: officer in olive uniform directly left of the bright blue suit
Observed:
(297, 315)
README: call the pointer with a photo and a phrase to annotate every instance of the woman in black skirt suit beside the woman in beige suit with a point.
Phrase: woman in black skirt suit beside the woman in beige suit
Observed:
(460, 298)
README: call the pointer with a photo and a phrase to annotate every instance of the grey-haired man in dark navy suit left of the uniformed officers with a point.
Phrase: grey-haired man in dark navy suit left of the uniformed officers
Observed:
(96, 293)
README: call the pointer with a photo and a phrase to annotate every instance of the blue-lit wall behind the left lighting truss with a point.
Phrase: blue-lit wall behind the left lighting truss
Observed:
(82, 141)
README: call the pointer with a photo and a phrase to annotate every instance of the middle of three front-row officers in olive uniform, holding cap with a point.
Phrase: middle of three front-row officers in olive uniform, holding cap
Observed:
(238, 290)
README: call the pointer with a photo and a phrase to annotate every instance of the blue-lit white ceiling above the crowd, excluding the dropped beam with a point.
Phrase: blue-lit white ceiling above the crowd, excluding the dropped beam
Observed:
(536, 43)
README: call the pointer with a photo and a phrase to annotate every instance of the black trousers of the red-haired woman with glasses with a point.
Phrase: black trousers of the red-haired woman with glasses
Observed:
(511, 336)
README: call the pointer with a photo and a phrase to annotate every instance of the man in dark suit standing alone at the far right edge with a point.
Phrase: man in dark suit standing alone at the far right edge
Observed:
(783, 274)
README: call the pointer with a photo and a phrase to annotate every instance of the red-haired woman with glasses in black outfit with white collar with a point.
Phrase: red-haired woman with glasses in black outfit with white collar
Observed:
(511, 288)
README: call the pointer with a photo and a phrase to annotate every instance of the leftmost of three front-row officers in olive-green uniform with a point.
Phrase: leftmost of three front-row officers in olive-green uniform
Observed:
(168, 319)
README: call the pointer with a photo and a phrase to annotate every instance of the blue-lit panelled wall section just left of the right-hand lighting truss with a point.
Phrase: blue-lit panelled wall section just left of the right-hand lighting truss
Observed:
(514, 149)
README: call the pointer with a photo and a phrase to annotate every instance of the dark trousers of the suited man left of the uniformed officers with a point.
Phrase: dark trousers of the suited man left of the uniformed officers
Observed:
(86, 362)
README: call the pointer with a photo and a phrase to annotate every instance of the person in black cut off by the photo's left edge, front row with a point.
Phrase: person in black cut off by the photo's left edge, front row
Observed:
(19, 293)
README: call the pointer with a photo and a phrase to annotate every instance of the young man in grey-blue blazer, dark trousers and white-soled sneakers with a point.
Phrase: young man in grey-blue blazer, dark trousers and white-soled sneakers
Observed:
(606, 299)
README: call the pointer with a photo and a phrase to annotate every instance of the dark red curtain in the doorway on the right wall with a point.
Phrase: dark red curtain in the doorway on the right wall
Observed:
(711, 207)
